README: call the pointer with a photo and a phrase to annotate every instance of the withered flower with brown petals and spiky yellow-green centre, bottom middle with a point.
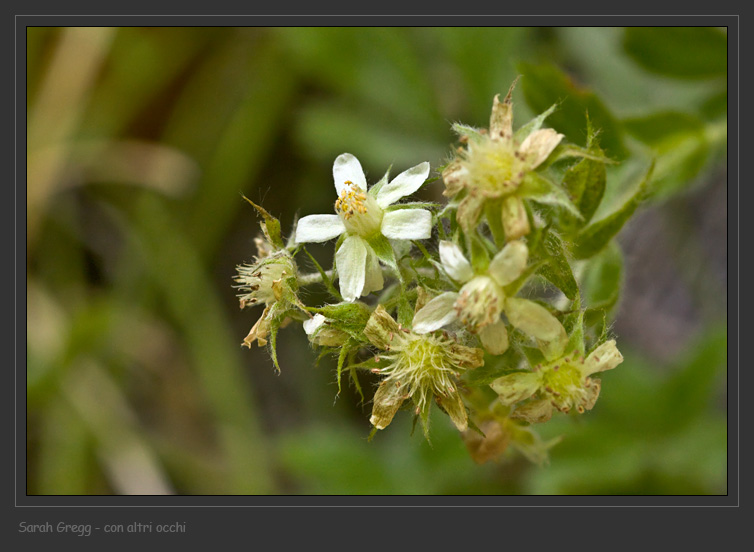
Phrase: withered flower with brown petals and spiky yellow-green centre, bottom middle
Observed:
(418, 367)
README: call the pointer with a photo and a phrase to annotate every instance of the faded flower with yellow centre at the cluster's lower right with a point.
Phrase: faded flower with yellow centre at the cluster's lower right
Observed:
(561, 384)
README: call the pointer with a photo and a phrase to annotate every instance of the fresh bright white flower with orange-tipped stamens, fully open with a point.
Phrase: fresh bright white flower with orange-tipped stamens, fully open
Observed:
(366, 217)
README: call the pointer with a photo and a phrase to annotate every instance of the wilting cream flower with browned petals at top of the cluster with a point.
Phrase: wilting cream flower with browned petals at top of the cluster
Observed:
(493, 166)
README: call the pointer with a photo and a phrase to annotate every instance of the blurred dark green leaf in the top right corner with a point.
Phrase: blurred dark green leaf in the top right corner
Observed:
(681, 52)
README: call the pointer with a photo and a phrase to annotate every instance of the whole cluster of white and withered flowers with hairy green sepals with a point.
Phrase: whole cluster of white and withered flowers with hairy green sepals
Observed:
(488, 325)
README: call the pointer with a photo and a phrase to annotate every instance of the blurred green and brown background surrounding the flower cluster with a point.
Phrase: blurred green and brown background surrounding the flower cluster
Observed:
(141, 142)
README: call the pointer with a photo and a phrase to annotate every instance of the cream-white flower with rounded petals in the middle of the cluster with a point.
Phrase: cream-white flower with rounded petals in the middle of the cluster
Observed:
(481, 301)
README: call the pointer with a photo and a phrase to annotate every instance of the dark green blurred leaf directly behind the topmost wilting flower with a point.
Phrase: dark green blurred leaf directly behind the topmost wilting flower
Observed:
(544, 85)
